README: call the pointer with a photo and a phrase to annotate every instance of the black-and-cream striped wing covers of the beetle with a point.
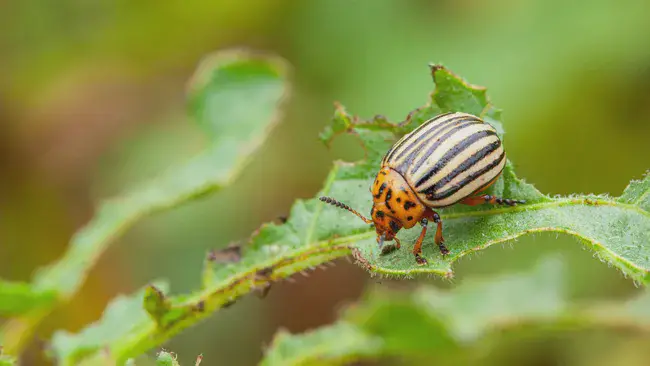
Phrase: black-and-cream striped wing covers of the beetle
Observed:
(448, 158)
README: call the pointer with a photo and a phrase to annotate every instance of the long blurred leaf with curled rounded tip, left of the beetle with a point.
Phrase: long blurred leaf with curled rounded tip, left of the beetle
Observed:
(235, 96)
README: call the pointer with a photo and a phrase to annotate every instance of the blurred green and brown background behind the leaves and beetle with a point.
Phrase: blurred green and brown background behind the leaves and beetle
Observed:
(92, 100)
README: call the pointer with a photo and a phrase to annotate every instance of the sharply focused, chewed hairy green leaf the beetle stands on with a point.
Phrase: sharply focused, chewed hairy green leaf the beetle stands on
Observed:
(316, 233)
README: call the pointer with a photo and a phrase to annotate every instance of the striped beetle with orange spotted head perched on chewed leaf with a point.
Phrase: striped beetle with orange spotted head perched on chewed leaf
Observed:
(451, 158)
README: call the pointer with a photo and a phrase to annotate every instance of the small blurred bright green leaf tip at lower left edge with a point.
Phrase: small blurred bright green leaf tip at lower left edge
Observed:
(18, 298)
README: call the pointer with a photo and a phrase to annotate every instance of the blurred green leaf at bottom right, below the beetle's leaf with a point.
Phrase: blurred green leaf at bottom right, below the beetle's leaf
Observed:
(428, 324)
